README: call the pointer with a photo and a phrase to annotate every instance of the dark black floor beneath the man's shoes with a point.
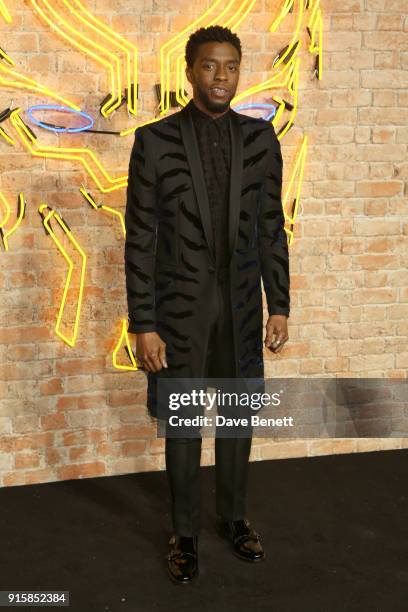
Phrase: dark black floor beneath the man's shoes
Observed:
(335, 530)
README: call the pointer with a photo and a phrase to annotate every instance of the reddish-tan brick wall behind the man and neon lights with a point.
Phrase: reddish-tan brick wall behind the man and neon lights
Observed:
(67, 412)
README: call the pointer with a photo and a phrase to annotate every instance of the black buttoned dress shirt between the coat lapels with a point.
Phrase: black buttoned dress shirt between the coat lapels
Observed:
(213, 136)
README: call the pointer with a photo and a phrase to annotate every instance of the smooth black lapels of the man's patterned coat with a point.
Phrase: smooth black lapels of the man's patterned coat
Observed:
(194, 161)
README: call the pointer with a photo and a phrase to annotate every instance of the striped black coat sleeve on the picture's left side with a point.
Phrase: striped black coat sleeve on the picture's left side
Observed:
(140, 243)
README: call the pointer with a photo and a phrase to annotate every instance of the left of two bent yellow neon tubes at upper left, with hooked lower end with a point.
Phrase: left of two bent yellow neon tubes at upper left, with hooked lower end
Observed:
(116, 98)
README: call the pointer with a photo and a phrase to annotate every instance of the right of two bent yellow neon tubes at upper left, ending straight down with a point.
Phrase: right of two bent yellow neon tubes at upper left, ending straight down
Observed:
(123, 44)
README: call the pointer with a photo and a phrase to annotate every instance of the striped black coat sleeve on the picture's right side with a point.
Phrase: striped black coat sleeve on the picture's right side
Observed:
(273, 245)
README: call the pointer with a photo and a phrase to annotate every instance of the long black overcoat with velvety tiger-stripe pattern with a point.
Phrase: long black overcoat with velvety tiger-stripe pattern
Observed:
(169, 255)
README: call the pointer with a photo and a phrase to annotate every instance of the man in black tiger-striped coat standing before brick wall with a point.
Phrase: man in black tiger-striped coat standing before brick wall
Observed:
(204, 223)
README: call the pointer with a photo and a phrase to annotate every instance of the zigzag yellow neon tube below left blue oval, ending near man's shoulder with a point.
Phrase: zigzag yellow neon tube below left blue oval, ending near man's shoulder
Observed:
(77, 154)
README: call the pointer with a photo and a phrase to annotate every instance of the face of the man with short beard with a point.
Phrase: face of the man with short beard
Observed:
(214, 76)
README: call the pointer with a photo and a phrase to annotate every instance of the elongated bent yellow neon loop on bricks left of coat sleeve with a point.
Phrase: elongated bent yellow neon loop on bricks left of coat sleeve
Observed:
(70, 341)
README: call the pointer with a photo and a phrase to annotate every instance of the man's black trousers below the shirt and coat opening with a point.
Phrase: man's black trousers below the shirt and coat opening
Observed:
(231, 454)
